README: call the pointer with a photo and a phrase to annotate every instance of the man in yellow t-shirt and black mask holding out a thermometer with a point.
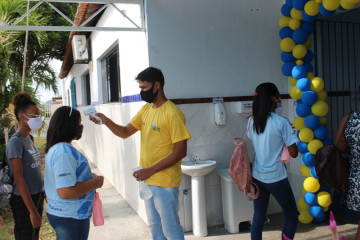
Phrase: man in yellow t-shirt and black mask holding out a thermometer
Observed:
(164, 139)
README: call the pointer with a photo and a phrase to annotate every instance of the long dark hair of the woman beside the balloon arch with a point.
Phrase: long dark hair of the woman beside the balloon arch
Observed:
(262, 105)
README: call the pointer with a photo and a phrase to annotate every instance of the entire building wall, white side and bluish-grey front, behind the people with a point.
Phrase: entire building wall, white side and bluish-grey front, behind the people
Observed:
(205, 48)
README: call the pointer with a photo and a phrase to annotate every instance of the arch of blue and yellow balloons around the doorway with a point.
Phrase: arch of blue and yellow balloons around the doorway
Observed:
(296, 27)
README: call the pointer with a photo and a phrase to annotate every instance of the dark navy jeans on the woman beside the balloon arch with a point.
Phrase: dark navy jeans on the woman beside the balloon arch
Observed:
(283, 194)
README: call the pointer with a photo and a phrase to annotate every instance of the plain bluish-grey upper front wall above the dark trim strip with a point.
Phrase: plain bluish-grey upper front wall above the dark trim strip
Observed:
(212, 48)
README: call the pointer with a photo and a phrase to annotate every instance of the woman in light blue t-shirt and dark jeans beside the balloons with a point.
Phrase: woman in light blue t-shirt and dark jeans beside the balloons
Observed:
(268, 132)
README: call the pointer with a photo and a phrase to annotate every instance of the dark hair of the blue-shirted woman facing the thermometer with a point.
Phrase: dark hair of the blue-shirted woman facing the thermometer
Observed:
(62, 127)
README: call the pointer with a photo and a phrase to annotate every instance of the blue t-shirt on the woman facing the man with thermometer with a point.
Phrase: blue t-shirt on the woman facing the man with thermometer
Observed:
(64, 167)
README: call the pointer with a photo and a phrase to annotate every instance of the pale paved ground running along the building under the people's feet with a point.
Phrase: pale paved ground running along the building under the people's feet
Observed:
(122, 223)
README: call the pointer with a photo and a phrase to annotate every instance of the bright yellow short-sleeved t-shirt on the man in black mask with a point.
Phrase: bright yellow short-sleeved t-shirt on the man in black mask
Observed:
(160, 129)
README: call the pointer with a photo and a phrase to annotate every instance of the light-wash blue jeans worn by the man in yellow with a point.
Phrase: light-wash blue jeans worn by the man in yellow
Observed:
(162, 214)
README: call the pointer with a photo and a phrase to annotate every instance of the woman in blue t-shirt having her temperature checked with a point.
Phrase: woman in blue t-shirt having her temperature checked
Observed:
(69, 184)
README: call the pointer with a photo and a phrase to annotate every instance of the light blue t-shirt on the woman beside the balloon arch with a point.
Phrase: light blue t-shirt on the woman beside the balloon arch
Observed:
(267, 166)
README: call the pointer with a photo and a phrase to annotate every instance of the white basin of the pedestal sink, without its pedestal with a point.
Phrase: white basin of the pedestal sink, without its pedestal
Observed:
(201, 168)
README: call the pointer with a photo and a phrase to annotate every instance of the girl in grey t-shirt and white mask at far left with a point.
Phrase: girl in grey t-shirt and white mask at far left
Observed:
(24, 160)
